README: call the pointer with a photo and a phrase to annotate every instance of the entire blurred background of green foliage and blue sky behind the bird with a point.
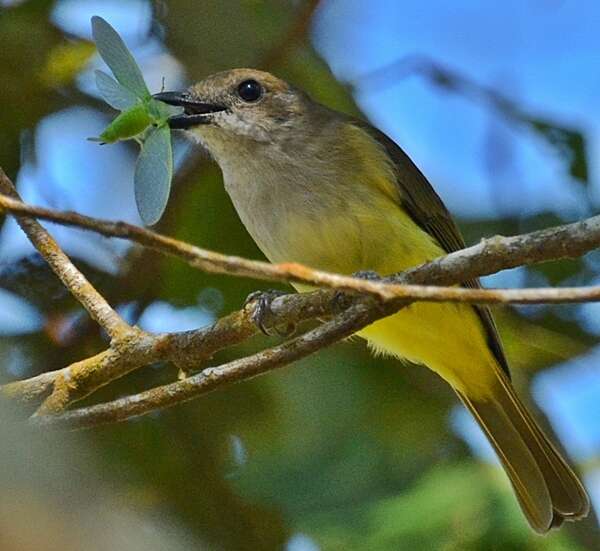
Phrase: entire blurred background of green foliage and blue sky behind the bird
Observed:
(342, 451)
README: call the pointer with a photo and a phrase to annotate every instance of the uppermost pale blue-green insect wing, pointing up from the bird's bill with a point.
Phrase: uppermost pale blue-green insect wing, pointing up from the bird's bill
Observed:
(118, 58)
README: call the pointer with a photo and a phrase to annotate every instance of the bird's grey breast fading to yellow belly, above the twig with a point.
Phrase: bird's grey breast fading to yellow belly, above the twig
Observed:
(328, 223)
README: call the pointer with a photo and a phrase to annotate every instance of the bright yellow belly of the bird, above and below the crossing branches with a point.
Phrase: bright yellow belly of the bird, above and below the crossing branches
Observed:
(446, 337)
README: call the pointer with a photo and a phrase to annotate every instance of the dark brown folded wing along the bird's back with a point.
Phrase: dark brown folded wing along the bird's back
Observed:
(429, 212)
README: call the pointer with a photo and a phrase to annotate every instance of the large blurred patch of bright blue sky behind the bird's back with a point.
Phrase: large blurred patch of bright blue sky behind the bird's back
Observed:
(542, 54)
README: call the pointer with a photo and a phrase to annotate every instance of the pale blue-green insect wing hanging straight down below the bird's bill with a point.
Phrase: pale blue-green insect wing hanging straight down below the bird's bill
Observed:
(153, 173)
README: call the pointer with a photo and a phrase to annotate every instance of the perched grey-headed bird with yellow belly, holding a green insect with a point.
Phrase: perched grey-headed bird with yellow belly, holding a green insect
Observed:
(321, 188)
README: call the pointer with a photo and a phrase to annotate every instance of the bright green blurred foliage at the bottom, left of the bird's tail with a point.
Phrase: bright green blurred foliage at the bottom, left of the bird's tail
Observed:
(433, 518)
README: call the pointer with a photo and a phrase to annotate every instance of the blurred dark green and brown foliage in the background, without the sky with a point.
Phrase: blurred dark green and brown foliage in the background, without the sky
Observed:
(354, 452)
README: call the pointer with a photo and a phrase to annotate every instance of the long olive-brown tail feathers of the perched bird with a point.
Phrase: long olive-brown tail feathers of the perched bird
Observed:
(548, 490)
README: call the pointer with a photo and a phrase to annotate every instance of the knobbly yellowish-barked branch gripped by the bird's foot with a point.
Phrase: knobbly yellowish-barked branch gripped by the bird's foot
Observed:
(187, 349)
